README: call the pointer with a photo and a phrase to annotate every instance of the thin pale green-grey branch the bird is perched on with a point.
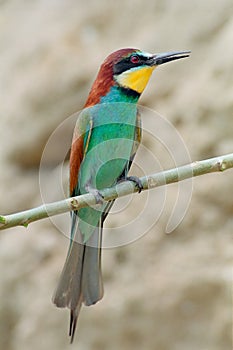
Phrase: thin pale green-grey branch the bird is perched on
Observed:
(198, 168)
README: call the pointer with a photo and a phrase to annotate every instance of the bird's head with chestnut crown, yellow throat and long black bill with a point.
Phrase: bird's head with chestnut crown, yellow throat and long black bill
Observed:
(129, 69)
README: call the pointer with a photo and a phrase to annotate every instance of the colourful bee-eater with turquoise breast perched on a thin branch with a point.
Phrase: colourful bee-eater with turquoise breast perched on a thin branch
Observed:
(105, 140)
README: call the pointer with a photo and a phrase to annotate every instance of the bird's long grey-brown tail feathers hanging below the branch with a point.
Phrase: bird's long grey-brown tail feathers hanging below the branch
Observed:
(81, 278)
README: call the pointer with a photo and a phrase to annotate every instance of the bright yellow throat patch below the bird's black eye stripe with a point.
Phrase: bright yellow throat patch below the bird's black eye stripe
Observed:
(135, 79)
